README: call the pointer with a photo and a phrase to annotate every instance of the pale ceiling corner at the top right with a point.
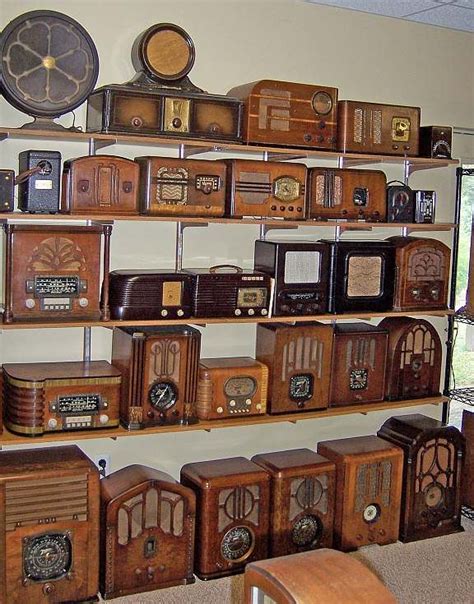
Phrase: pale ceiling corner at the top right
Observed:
(455, 14)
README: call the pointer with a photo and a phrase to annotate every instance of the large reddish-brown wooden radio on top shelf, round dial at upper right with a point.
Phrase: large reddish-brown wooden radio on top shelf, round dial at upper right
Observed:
(288, 114)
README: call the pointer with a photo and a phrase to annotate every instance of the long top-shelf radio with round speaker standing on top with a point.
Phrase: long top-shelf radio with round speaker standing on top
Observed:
(160, 99)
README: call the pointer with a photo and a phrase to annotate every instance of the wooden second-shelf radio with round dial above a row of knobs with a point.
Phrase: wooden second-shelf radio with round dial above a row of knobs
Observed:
(265, 189)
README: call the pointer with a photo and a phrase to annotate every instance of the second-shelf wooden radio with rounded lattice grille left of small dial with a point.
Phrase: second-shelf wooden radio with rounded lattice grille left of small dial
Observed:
(177, 187)
